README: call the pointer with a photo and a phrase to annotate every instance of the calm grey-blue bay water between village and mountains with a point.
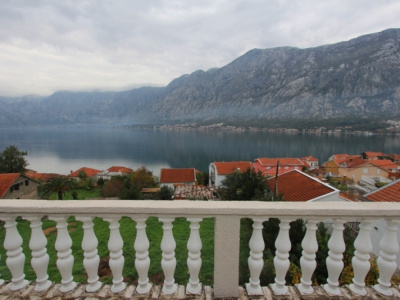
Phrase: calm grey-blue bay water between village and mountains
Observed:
(62, 150)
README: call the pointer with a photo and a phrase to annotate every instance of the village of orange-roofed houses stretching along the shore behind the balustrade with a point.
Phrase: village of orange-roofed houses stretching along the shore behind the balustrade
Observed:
(344, 177)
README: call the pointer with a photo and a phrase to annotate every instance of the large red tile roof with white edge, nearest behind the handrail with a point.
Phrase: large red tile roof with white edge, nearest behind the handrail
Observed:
(298, 186)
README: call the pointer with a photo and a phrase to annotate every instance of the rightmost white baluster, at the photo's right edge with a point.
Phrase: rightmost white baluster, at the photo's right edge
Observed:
(387, 257)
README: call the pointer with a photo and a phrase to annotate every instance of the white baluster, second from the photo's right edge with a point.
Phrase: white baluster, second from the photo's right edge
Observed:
(360, 261)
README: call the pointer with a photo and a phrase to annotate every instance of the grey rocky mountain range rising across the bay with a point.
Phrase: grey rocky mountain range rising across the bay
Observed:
(357, 78)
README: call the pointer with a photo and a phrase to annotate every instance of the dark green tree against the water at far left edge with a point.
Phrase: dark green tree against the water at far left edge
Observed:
(12, 160)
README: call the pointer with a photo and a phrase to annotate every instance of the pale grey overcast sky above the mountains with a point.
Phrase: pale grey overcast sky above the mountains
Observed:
(47, 46)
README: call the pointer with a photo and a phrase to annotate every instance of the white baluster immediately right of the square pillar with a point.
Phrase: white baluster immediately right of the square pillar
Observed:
(255, 261)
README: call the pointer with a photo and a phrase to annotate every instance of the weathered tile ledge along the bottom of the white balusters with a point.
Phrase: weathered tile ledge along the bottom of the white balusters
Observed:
(156, 293)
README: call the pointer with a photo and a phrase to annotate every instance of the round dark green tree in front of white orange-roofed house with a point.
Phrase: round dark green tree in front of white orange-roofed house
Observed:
(247, 185)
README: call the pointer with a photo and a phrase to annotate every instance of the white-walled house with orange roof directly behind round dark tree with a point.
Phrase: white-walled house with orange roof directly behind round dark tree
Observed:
(219, 170)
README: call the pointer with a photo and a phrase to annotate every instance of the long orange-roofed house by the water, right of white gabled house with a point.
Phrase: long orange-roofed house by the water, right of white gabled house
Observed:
(268, 166)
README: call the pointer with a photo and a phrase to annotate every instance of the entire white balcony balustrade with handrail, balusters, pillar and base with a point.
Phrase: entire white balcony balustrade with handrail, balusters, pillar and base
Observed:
(227, 216)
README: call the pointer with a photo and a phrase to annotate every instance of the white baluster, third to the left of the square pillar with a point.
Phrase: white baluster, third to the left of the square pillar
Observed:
(142, 261)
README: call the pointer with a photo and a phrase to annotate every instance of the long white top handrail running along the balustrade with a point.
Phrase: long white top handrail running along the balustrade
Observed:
(187, 208)
